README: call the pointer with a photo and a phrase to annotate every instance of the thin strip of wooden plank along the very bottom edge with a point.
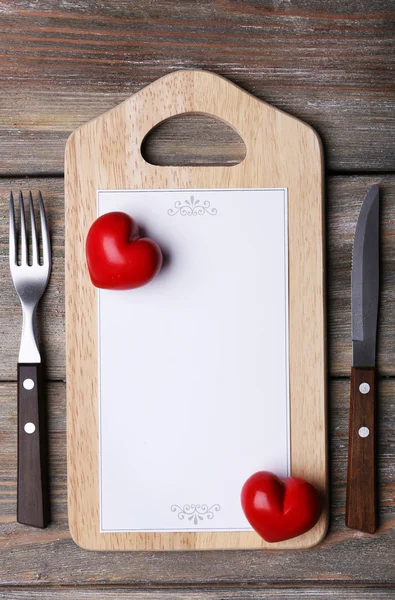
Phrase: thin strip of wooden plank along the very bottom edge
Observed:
(201, 593)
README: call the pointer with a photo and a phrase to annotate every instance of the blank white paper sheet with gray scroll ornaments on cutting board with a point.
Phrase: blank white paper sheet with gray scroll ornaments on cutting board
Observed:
(193, 368)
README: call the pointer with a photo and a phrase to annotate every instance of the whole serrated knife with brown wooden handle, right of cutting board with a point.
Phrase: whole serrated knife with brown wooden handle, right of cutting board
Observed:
(361, 492)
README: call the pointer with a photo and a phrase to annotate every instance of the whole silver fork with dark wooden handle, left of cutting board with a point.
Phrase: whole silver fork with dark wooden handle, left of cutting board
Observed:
(30, 281)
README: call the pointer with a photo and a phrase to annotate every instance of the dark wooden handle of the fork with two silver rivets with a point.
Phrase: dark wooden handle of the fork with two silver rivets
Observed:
(32, 495)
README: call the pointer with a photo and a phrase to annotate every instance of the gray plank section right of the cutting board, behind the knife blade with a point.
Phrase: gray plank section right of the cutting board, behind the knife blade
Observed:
(344, 199)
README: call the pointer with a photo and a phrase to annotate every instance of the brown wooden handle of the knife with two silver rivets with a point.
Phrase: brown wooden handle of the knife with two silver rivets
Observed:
(361, 488)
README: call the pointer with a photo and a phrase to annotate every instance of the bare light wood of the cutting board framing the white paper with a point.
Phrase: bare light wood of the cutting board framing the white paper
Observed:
(281, 152)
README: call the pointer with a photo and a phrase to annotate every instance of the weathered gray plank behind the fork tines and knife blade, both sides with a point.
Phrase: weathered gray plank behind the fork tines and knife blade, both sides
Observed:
(343, 202)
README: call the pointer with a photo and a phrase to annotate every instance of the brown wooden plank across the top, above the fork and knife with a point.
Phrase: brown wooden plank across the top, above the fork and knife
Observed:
(329, 64)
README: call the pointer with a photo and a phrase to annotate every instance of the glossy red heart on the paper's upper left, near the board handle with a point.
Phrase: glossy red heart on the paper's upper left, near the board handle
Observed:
(117, 258)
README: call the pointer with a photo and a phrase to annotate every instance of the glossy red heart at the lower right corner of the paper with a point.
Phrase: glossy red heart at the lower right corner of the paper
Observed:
(280, 509)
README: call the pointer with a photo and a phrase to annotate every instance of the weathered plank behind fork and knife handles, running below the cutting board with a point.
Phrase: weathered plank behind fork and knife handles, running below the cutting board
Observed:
(49, 557)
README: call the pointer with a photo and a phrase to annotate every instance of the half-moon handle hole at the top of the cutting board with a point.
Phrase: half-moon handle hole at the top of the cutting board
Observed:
(193, 139)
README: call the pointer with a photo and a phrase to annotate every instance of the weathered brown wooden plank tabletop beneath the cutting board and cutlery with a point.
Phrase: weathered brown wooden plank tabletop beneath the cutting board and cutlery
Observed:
(331, 63)
